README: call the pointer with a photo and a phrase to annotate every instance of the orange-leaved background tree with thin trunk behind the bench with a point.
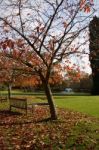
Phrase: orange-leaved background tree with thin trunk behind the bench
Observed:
(14, 73)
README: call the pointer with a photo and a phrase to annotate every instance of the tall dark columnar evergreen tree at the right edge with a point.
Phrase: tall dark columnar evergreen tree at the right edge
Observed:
(94, 53)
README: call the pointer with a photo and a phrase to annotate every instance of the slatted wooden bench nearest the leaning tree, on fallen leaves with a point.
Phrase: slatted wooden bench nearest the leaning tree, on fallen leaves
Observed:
(20, 103)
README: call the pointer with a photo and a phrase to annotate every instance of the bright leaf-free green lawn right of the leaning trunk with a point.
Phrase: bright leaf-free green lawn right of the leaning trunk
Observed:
(85, 104)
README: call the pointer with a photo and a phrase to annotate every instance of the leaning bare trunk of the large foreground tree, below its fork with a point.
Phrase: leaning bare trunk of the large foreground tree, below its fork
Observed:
(50, 101)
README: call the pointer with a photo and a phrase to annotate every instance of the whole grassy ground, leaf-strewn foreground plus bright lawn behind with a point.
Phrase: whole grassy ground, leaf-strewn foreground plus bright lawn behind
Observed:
(73, 130)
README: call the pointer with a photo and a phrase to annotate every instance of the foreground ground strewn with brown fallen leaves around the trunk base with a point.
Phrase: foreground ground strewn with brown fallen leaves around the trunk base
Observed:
(71, 131)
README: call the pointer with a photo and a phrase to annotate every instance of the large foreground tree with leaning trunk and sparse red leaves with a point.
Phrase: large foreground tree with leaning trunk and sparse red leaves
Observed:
(43, 33)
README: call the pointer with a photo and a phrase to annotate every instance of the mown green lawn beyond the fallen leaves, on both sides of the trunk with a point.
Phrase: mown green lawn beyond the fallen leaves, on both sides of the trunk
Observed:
(86, 104)
